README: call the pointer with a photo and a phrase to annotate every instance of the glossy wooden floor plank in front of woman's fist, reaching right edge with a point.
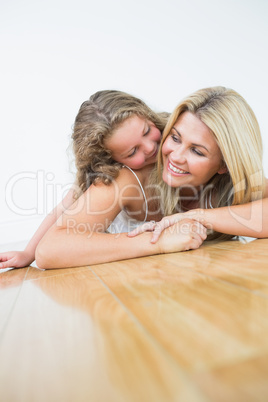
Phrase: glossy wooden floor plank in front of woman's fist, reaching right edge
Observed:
(189, 313)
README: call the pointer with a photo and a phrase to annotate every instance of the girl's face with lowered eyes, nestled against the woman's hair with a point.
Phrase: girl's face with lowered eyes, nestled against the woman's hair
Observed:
(135, 143)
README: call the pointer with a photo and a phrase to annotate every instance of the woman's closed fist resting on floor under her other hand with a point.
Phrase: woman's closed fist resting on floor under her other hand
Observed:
(185, 235)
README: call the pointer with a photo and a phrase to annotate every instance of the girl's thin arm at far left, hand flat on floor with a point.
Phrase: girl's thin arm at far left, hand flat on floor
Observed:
(18, 259)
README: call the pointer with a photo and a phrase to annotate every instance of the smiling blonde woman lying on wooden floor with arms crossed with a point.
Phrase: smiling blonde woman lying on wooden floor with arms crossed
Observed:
(210, 156)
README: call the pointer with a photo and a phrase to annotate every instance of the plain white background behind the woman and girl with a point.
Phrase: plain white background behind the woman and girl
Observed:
(56, 53)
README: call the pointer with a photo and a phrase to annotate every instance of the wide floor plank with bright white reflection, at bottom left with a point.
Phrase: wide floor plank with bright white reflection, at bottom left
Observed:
(69, 339)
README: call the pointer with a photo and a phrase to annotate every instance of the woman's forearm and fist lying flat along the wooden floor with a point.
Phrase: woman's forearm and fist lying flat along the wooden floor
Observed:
(61, 247)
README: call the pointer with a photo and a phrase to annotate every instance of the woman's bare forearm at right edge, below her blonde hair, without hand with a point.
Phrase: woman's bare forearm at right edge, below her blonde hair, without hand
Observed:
(239, 220)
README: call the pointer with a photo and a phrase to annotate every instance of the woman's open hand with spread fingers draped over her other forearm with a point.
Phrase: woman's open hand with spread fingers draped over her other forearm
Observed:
(157, 227)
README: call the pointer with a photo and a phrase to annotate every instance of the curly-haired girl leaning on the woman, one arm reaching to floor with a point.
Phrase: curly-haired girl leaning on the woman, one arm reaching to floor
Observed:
(112, 128)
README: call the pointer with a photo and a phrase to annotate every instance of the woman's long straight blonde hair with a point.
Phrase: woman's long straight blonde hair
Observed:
(236, 130)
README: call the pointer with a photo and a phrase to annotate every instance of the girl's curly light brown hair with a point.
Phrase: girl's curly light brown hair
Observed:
(95, 122)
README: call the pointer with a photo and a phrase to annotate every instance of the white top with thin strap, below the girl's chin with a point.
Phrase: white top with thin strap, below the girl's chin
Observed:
(123, 222)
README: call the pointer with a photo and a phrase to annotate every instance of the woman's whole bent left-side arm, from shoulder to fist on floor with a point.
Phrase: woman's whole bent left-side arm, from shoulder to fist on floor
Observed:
(79, 237)
